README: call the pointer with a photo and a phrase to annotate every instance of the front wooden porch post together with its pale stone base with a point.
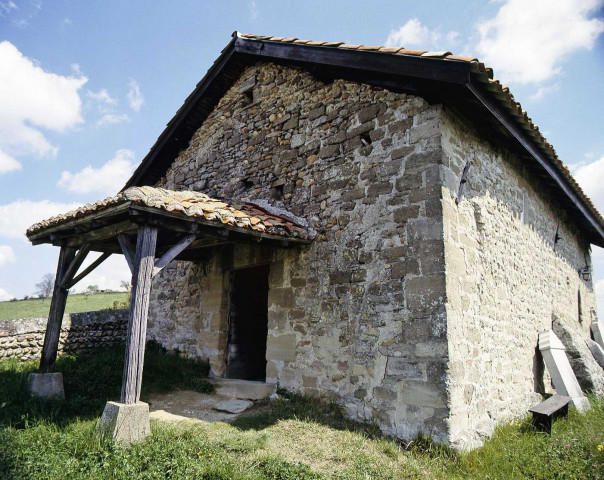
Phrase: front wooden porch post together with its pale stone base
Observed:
(128, 421)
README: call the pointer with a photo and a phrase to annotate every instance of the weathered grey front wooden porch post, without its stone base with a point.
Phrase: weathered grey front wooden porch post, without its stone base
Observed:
(139, 308)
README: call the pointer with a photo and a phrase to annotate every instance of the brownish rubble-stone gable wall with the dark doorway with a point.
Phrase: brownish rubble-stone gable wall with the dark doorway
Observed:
(359, 314)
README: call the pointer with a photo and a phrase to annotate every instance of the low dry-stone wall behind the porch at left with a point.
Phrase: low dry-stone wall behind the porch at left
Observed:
(81, 332)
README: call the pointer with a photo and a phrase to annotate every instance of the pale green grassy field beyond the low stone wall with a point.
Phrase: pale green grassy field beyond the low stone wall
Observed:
(39, 307)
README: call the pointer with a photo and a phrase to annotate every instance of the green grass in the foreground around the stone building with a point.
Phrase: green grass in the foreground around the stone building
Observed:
(293, 437)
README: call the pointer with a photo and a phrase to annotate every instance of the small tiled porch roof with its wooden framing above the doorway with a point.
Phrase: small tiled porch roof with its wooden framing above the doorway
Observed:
(212, 221)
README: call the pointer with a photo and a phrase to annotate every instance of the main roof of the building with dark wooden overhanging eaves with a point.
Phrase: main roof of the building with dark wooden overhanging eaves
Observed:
(439, 77)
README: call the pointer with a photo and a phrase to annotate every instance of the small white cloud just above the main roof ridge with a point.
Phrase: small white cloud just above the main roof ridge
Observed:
(415, 35)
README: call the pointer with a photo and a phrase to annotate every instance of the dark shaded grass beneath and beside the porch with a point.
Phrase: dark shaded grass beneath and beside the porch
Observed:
(91, 380)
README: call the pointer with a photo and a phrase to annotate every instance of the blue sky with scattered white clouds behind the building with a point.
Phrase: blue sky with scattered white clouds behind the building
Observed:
(87, 87)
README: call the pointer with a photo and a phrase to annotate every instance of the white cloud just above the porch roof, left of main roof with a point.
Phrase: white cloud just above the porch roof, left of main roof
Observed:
(105, 180)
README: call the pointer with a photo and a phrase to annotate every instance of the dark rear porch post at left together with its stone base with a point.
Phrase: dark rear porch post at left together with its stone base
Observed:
(46, 383)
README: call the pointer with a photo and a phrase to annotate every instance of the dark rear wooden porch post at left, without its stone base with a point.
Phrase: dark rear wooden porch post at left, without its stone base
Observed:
(55, 316)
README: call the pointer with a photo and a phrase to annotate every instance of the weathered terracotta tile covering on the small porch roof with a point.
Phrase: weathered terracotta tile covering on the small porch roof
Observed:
(190, 204)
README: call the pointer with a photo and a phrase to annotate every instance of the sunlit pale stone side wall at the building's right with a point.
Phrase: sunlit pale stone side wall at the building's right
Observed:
(505, 282)
